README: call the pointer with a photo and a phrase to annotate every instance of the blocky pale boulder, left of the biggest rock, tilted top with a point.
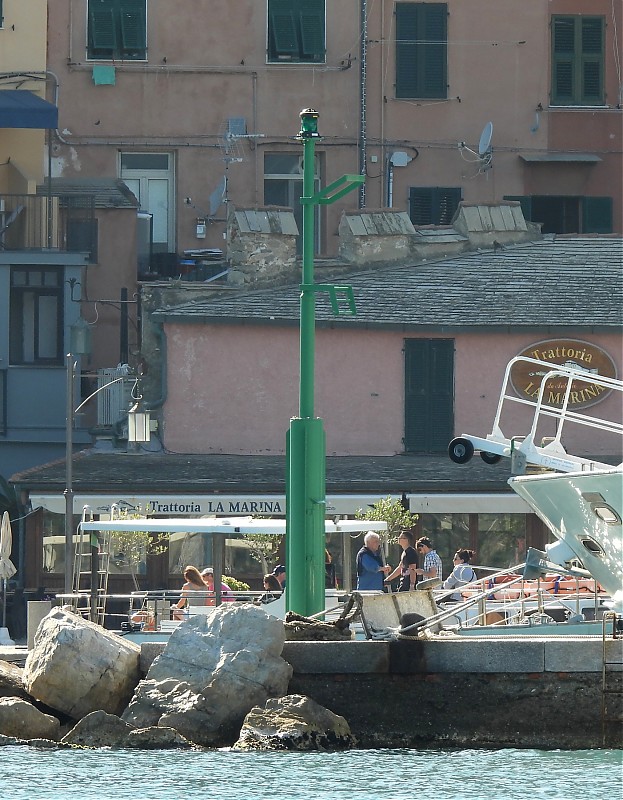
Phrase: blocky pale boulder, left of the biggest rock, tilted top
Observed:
(77, 667)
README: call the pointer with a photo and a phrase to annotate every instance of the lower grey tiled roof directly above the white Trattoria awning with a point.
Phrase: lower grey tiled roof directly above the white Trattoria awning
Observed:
(130, 473)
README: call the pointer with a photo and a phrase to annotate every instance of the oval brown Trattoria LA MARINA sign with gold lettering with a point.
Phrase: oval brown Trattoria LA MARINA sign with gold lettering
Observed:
(526, 378)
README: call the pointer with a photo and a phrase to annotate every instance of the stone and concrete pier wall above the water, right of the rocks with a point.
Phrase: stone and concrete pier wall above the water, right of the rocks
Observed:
(544, 693)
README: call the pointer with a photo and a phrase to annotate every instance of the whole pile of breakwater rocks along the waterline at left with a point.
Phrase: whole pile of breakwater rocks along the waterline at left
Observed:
(81, 686)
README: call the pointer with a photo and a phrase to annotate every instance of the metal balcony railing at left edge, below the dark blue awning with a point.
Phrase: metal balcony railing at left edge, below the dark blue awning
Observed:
(60, 222)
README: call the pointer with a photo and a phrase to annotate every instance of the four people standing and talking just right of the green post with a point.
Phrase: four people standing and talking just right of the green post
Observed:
(374, 574)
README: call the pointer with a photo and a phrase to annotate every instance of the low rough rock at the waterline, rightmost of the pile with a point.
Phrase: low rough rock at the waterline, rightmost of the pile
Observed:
(294, 722)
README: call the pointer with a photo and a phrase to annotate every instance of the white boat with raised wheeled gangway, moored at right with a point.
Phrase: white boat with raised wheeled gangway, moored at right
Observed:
(581, 502)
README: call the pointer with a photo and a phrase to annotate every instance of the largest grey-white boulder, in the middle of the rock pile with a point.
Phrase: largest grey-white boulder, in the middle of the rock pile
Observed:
(211, 674)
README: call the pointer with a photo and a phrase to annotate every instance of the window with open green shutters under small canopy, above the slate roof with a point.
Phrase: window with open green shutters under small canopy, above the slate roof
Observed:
(567, 213)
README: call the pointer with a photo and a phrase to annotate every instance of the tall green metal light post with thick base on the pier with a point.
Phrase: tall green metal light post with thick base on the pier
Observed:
(305, 441)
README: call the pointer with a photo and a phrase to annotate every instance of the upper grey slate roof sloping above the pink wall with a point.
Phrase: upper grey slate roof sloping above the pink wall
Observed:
(563, 283)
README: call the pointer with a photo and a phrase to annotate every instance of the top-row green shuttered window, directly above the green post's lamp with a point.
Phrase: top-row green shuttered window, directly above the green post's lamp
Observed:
(296, 31)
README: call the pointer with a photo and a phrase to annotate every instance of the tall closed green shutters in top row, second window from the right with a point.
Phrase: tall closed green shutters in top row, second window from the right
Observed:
(421, 50)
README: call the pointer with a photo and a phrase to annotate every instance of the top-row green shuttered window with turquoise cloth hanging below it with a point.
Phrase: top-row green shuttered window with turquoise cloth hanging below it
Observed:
(117, 30)
